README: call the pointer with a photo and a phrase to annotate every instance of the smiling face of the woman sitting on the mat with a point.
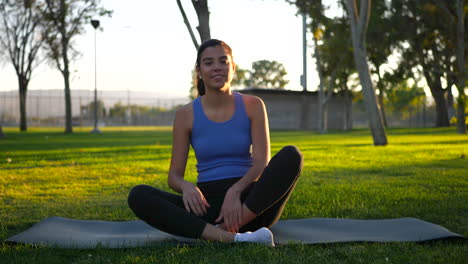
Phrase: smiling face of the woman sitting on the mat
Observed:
(216, 68)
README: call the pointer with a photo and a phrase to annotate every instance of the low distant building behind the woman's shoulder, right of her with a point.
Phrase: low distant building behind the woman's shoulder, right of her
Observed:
(293, 110)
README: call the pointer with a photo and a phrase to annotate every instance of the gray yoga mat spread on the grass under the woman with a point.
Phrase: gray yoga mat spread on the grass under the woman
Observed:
(70, 233)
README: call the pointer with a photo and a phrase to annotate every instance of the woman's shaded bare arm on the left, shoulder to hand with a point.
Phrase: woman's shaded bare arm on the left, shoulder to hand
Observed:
(193, 198)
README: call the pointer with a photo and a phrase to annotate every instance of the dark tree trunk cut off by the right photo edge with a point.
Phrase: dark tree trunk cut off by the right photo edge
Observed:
(461, 126)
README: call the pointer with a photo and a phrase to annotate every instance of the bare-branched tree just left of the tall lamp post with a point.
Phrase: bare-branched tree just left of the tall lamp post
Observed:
(66, 19)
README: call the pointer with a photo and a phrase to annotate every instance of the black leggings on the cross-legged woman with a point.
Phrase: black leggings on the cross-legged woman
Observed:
(266, 198)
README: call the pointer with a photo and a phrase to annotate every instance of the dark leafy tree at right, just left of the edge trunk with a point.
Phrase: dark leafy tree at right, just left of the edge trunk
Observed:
(429, 45)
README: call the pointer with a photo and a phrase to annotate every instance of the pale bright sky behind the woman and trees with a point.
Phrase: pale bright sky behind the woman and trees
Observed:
(145, 46)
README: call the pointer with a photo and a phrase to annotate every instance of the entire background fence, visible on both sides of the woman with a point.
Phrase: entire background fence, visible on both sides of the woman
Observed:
(47, 108)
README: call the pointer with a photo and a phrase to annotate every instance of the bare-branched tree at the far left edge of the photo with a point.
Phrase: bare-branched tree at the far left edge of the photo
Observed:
(21, 41)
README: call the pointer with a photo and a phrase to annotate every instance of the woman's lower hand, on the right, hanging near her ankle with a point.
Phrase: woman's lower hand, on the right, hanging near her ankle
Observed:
(231, 211)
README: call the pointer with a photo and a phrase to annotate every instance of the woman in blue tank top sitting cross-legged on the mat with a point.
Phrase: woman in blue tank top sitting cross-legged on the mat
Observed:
(237, 190)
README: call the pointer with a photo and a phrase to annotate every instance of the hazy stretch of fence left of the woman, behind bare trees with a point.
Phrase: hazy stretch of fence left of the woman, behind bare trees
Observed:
(47, 108)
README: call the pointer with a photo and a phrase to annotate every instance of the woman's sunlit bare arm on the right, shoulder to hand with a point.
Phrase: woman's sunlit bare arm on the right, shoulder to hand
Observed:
(232, 210)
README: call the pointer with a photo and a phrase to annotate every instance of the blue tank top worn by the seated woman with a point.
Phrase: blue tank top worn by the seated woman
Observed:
(222, 149)
